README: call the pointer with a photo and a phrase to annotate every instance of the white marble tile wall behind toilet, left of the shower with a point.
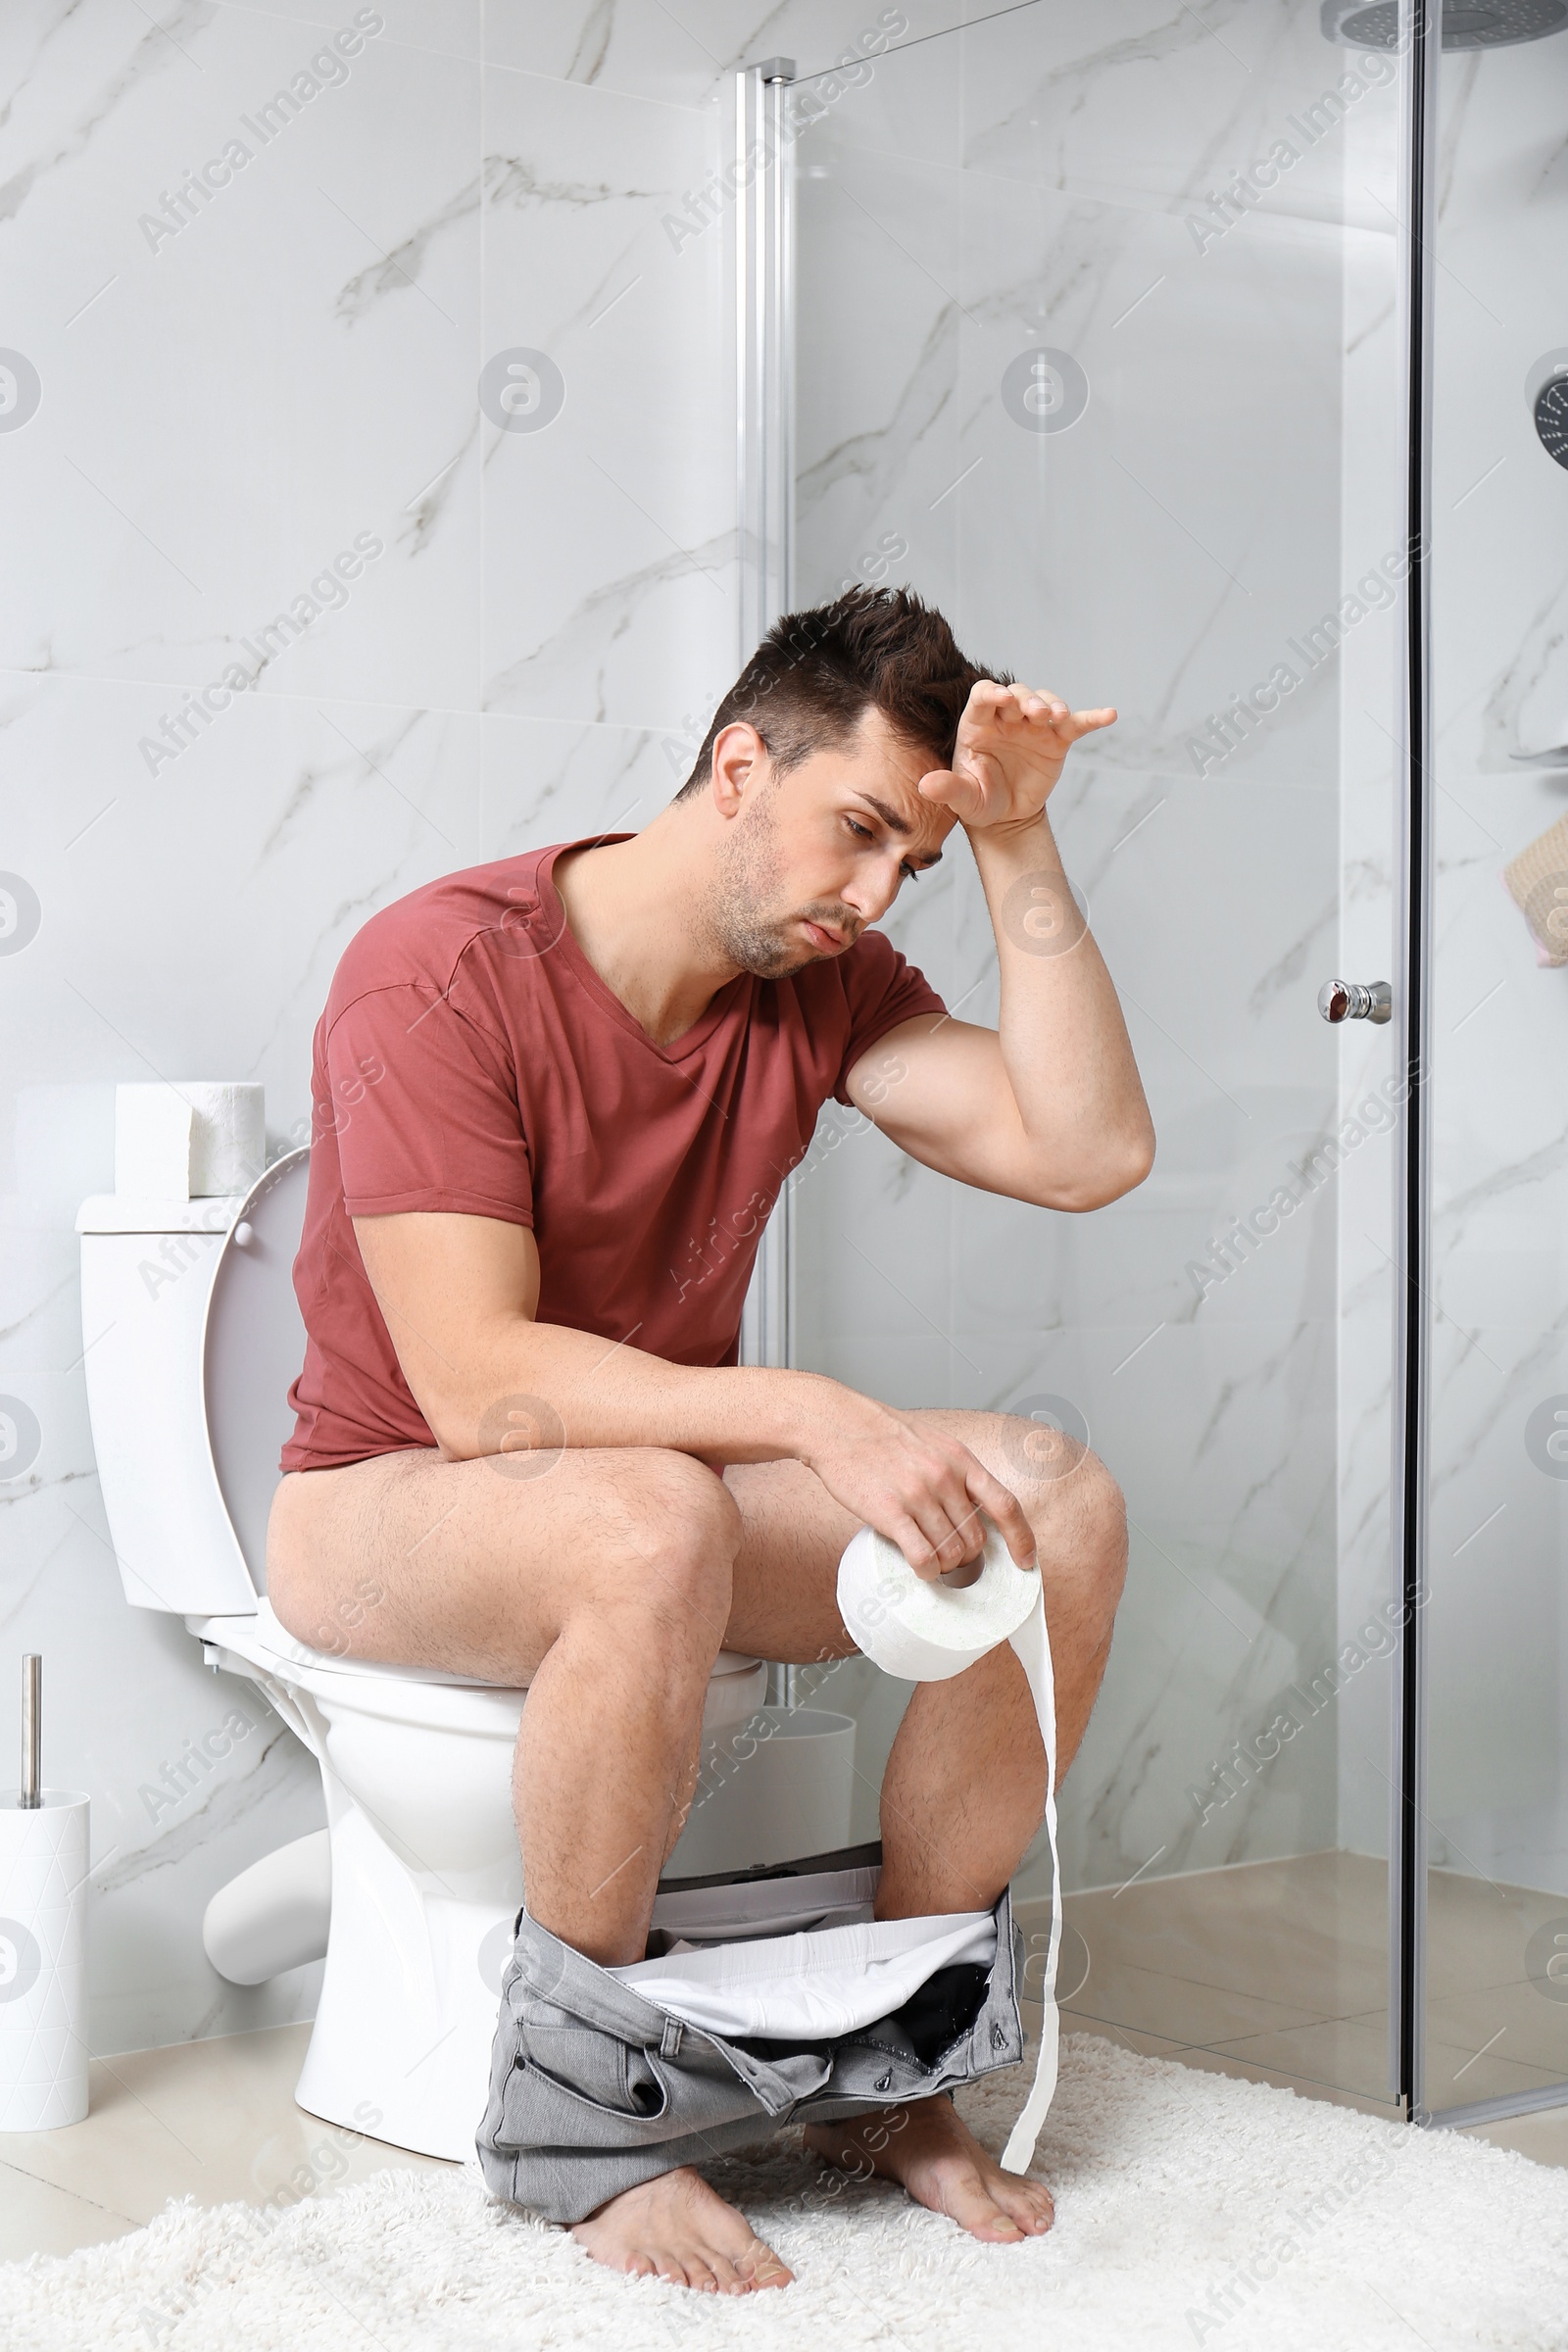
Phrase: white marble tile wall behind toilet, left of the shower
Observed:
(227, 403)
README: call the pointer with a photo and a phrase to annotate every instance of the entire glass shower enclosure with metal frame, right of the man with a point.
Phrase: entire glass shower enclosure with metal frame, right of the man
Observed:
(1202, 363)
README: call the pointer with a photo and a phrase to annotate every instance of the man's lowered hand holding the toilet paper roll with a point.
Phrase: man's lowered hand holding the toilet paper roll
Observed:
(911, 1483)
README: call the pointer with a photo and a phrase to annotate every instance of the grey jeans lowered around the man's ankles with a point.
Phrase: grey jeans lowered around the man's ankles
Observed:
(596, 2087)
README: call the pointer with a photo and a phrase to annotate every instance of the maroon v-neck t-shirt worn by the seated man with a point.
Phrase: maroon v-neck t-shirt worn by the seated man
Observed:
(474, 1062)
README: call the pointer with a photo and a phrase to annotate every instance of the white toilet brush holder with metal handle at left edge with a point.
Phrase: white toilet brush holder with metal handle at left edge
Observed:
(43, 1937)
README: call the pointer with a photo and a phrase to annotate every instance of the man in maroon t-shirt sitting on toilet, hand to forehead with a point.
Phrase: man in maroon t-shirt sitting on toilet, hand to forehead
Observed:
(556, 1100)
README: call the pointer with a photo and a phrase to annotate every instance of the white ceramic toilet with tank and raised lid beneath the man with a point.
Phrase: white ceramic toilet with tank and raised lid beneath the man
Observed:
(194, 1337)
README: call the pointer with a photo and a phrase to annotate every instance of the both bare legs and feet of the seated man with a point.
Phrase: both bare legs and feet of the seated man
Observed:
(624, 1563)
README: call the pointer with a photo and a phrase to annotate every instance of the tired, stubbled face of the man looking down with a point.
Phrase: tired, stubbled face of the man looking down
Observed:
(817, 855)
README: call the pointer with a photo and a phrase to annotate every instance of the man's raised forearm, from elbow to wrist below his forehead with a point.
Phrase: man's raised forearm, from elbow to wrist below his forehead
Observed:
(1064, 1041)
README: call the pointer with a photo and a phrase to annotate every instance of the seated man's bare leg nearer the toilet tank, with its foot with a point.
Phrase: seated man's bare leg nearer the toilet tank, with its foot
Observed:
(605, 1589)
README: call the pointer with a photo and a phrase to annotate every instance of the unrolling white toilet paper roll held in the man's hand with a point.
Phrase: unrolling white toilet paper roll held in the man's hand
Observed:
(927, 1631)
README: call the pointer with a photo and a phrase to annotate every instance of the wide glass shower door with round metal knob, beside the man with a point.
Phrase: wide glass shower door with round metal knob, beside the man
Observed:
(1097, 345)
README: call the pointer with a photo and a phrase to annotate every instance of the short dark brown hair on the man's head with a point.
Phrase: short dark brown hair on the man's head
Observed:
(817, 674)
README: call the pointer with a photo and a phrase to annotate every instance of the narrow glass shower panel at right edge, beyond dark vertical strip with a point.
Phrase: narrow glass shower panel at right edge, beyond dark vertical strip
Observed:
(1496, 1800)
